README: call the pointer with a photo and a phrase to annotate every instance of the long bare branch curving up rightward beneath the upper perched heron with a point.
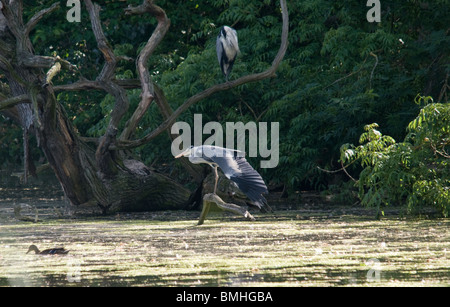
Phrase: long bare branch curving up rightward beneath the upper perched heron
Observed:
(271, 72)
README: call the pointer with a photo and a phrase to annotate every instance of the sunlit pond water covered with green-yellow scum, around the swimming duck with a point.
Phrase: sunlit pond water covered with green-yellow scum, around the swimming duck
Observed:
(316, 244)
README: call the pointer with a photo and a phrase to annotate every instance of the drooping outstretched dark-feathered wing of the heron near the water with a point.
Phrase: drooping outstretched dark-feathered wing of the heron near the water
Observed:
(248, 180)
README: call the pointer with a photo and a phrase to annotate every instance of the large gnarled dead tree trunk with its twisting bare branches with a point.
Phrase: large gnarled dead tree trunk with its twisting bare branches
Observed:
(95, 172)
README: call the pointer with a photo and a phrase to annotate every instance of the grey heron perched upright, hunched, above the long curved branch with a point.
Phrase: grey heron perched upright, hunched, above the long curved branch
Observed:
(227, 49)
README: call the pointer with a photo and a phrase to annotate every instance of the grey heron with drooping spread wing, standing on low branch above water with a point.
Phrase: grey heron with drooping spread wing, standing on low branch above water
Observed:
(235, 167)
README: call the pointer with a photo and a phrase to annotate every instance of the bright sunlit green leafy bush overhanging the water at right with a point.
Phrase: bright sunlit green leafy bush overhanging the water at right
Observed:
(415, 172)
